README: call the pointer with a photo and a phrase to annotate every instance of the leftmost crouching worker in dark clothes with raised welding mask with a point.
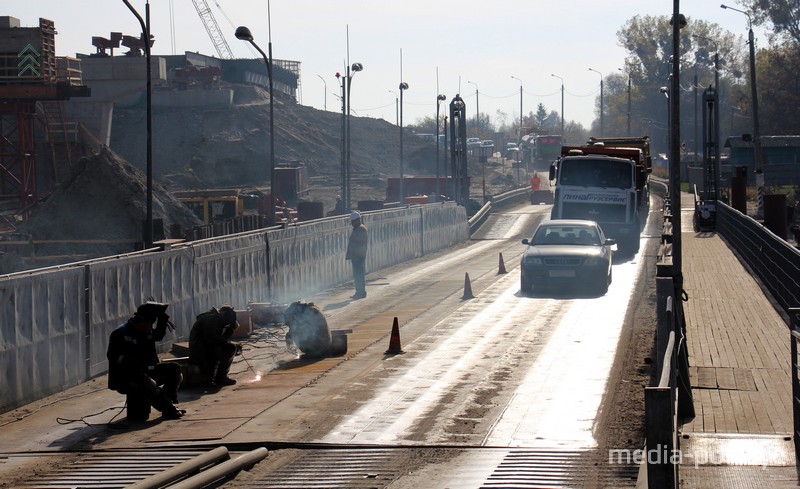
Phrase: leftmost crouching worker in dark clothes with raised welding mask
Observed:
(134, 368)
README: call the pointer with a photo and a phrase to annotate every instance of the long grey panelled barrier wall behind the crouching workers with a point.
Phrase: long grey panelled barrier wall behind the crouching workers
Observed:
(55, 323)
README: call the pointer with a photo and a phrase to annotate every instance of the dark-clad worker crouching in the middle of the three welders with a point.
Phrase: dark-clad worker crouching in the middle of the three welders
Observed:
(210, 347)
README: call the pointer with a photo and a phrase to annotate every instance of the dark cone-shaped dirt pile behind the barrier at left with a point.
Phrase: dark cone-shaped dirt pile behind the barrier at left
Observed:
(104, 200)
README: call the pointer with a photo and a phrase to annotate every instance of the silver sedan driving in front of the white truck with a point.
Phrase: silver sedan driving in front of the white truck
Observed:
(567, 253)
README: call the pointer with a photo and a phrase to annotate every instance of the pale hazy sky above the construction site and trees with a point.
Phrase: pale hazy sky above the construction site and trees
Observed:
(483, 42)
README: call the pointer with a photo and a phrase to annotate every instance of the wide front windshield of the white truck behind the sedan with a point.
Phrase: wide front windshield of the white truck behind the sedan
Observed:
(591, 172)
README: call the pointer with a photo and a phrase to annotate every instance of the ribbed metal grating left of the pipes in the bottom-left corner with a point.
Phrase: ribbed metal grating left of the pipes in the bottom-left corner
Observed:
(106, 470)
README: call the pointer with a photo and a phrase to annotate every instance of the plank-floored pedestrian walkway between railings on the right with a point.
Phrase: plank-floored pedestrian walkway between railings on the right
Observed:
(738, 344)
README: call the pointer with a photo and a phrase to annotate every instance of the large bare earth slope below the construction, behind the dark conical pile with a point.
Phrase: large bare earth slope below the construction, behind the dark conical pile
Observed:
(197, 147)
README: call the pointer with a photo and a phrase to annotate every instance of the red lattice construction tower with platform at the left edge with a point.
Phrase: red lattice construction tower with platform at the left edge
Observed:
(31, 80)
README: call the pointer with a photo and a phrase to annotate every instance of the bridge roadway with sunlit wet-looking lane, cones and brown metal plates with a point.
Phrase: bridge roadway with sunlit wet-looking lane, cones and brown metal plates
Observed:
(486, 380)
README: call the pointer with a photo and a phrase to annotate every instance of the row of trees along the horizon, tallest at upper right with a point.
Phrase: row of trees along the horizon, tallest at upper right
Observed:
(637, 94)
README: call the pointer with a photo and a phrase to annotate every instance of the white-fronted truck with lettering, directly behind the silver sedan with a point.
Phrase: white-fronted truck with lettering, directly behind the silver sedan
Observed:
(600, 188)
